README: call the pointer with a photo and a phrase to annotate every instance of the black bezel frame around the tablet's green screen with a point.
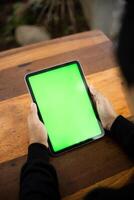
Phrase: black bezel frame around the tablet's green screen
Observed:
(90, 97)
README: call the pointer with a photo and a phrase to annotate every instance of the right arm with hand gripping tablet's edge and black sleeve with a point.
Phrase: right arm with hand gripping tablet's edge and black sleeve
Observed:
(120, 128)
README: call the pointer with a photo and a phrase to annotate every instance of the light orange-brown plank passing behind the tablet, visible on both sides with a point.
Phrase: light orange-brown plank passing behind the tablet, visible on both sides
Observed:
(15, 111)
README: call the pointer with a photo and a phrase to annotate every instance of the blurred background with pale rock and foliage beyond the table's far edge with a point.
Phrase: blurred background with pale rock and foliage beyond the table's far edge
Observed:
(29, 21)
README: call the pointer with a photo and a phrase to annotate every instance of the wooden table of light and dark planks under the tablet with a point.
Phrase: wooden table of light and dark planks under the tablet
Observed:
(102, 162)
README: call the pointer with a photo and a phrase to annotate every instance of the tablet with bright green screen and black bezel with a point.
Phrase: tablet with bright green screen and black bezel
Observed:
(65, 106)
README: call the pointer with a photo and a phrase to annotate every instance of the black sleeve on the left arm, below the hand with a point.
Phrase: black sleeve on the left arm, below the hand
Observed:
(38, 178)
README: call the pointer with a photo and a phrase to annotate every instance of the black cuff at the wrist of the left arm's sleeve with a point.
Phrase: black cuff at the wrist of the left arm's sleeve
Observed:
(38, 151)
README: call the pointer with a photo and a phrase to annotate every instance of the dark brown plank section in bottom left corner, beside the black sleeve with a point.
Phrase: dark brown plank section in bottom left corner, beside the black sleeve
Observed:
(10, 179)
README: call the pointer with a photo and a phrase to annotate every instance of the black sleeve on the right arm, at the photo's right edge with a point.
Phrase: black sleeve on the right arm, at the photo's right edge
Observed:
(123, 131)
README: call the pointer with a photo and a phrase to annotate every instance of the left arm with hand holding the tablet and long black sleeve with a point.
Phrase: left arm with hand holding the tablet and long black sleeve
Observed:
(38, 179)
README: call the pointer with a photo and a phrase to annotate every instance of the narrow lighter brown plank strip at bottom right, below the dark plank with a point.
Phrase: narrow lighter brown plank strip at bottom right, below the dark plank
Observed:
(117, 181)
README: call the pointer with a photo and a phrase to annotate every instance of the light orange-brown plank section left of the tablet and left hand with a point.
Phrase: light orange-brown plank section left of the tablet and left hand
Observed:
(13, 123)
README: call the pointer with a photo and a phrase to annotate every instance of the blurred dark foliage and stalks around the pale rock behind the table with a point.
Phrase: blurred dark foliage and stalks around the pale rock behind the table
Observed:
(59, 17)
